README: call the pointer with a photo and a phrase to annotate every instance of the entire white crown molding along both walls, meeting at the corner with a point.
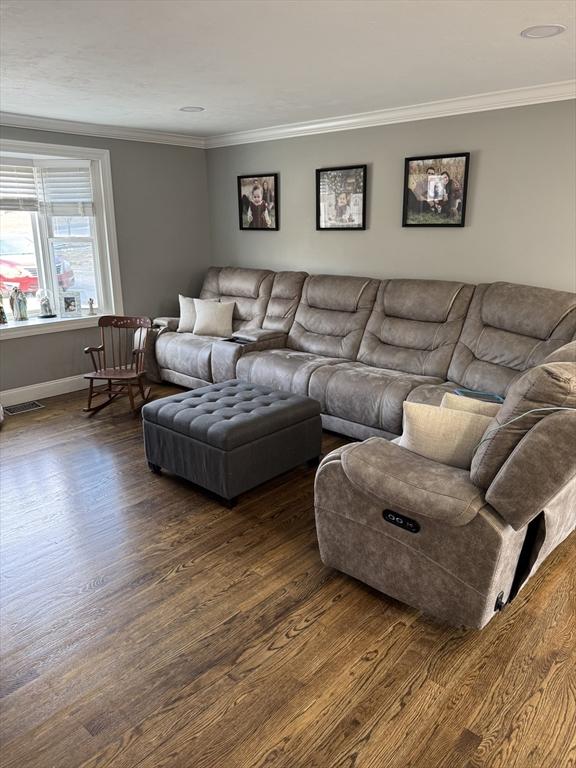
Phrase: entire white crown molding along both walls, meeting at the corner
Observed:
(482, 102)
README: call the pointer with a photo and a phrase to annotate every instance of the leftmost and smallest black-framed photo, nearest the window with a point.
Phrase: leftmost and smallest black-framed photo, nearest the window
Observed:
(258, 202)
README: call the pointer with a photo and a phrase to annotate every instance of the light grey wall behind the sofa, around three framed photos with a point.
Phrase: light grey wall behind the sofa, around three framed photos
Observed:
(520, 218)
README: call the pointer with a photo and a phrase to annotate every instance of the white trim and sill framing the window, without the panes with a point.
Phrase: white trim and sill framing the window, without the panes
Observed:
(105, 225)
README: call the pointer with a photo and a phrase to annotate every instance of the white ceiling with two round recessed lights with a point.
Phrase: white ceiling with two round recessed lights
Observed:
(254, 64)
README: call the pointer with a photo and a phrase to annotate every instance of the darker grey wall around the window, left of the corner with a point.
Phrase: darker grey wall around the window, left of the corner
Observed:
(163, 243)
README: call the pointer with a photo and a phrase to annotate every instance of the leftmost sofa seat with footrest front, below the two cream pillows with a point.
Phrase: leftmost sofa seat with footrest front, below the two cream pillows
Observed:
(185, 353)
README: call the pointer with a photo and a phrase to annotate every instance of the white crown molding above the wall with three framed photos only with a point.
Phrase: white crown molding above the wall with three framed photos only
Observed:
(483, 102)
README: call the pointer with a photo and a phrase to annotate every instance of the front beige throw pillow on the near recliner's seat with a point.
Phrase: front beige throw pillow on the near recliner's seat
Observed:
(442, 434)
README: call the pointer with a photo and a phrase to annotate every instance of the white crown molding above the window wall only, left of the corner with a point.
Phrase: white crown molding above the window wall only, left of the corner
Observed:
(14, 120)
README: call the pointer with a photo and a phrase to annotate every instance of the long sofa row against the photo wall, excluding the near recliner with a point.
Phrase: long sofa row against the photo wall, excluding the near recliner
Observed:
(362, 346)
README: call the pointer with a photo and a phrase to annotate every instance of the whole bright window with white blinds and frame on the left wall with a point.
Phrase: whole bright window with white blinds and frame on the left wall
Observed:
(57, 242)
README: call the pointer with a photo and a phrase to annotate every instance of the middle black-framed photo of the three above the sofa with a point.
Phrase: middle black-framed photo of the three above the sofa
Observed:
(341, 197)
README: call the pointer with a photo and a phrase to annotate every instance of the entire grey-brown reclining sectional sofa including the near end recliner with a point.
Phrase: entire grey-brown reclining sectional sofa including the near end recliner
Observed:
(362, 347)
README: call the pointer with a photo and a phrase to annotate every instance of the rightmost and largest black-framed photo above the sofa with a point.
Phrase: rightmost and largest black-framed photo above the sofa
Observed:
(435, 190)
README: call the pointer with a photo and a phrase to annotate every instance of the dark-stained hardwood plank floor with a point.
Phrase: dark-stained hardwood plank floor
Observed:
(143, 624)
